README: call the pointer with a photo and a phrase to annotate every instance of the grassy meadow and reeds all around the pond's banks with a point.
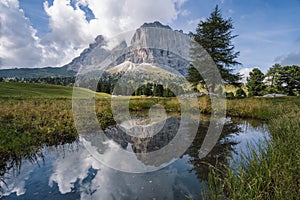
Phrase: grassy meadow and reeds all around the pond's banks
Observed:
(35, 115)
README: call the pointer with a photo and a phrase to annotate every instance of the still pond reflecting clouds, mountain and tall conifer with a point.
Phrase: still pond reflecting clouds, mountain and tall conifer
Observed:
(71, 171)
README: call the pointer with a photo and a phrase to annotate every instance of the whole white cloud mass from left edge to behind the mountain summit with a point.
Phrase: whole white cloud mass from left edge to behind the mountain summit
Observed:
(70, 31)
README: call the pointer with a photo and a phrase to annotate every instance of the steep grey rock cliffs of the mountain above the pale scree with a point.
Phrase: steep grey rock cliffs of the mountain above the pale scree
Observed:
(152, 43)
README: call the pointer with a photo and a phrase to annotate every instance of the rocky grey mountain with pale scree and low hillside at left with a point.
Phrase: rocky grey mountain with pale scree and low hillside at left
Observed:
(153, 44)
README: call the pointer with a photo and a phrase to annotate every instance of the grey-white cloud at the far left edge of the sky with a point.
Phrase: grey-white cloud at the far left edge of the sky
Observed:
(18, 44)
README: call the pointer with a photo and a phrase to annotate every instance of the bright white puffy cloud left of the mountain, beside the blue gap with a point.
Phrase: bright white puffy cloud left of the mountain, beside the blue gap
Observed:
(70, 33)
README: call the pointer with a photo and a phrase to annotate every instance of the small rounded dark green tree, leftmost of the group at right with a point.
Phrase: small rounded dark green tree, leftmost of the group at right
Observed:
(255, 83)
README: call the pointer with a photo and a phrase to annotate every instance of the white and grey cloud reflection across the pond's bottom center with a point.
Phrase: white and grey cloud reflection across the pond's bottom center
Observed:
(75, 166)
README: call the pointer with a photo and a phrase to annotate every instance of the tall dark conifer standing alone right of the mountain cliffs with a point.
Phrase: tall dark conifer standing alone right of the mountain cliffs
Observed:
(215, 36)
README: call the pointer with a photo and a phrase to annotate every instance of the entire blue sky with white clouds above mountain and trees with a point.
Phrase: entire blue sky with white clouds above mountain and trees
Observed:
(40, 33)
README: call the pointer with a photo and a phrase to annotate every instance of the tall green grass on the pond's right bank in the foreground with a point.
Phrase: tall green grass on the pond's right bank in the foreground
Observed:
(271, 173)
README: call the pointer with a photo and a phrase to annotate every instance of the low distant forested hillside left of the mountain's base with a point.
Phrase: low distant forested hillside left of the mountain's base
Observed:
(37, 72)
